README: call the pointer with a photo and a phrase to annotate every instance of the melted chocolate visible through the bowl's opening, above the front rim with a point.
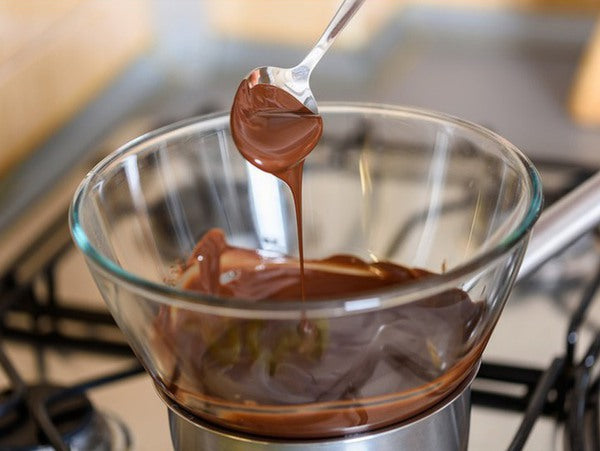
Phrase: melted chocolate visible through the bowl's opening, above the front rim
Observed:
(222, 270)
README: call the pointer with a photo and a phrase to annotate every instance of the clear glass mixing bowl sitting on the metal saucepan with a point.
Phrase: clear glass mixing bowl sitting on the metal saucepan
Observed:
(407, 186)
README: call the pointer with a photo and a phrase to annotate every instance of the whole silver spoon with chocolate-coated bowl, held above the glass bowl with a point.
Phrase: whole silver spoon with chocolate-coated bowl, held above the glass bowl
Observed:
(274, 117)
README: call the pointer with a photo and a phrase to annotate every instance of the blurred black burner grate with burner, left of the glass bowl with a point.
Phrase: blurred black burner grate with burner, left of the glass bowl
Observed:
(46, 416)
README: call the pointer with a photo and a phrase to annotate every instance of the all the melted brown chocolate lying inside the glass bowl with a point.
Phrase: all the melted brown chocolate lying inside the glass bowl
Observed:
(328, 377)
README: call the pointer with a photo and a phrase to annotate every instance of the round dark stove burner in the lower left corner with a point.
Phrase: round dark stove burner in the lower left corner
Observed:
(73, 417)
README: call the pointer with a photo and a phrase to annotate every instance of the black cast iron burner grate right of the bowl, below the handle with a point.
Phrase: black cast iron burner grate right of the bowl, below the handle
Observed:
(567, 390)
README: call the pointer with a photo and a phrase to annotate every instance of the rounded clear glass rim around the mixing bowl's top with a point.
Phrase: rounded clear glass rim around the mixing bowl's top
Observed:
(381, 298)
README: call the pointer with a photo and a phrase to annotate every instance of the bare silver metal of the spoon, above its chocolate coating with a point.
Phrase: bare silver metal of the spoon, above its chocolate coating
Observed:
(295, 80)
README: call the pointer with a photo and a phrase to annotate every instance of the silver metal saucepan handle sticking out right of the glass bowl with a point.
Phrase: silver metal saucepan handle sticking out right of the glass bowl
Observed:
(562, 223)
